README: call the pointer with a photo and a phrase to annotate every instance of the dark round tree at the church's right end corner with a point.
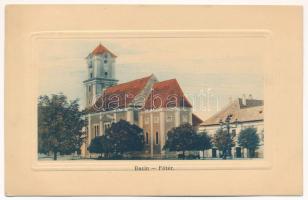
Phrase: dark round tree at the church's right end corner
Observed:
(182, 138)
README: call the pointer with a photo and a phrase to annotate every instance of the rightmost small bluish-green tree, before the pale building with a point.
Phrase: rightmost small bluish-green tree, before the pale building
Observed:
(249, 139)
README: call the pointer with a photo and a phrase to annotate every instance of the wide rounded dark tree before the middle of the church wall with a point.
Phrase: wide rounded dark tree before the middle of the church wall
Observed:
(123, 137)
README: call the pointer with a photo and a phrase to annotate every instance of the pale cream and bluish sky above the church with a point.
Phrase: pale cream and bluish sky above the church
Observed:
(226, 67)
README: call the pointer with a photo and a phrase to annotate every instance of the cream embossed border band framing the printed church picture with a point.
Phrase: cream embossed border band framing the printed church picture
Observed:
(128, 165)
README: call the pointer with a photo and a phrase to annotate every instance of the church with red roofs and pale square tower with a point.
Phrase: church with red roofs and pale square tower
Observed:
(155, 106)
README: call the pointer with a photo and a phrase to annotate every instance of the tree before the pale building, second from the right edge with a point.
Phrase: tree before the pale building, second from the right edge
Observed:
(224, 141)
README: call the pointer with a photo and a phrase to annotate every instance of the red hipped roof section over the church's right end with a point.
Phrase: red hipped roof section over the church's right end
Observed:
(167, 94)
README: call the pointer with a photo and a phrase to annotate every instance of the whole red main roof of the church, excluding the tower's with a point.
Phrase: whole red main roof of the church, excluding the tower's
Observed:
(168, 93)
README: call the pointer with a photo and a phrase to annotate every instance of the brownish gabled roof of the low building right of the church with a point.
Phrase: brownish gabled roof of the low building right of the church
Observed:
(251, 111)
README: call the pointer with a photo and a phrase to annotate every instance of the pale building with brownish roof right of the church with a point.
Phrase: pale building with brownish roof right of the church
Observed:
(243, 113)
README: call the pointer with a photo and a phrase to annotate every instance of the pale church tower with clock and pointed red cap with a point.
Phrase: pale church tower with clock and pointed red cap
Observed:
(101, 72)
